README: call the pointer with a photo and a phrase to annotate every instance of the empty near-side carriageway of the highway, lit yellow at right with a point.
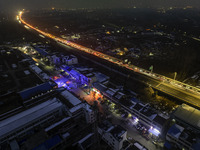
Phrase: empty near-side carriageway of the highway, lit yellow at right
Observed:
(184, 95)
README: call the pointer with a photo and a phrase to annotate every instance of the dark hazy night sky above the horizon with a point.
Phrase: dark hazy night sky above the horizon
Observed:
(31, 4)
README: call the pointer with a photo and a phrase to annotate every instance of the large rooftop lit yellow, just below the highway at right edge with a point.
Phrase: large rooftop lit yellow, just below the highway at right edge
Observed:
(188, 115)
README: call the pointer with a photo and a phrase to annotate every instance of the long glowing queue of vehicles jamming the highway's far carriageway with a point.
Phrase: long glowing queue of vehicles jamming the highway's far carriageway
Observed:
(114, 60)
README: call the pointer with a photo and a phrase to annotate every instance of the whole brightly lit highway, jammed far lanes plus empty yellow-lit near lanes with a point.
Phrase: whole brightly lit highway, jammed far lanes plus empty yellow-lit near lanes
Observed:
(145, 76)
